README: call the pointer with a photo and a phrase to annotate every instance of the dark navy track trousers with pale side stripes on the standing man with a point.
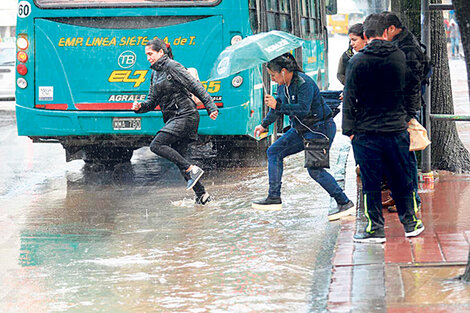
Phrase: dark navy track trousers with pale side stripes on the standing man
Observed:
(379, 154)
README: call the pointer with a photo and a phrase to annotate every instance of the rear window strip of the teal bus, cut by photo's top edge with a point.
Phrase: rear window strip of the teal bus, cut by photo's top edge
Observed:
(111, 3)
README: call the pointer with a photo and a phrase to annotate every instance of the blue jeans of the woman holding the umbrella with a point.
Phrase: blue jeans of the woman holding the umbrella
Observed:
(291, 143)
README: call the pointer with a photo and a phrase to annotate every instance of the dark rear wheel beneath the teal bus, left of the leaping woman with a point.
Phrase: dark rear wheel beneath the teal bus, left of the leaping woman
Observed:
(107, 155)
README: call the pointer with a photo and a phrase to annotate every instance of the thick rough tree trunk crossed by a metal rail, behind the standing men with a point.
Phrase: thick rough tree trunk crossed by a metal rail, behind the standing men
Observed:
(447, 151)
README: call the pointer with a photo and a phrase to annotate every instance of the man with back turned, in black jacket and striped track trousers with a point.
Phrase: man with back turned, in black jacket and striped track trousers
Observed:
(375, 118)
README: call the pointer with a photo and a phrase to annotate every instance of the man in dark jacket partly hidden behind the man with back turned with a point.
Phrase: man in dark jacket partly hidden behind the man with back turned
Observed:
(399, 35)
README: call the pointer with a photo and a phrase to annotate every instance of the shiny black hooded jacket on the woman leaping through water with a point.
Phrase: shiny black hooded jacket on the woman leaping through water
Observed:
(171, 87)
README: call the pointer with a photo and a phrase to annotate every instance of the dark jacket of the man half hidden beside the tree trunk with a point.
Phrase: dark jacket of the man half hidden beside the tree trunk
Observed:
(408, 43)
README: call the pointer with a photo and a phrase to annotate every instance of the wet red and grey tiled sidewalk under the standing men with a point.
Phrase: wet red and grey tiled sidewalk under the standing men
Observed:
(408, 275)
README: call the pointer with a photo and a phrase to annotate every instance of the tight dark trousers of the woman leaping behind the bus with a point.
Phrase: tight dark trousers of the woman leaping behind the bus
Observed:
(173, 148)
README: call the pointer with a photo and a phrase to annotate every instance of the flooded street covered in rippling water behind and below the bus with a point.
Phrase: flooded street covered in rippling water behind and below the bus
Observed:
(131, 239)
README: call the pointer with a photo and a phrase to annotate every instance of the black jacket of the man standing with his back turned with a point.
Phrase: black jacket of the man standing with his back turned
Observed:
(373, 94)
